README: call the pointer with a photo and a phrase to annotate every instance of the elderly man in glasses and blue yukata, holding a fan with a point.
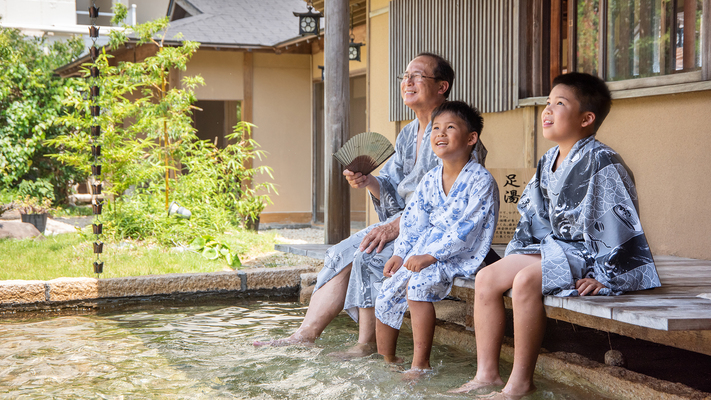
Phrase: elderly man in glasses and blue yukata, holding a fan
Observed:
(353, 269)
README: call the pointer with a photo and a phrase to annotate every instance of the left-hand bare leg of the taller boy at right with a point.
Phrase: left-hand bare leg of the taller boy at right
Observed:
(489, 317)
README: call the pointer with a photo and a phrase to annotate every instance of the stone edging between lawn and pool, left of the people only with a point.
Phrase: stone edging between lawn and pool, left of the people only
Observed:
(22, 293)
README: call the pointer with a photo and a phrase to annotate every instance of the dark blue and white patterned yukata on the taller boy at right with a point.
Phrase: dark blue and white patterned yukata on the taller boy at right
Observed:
(583, 220)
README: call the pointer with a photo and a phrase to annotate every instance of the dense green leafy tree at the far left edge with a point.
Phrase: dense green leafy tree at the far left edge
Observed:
(30, 104)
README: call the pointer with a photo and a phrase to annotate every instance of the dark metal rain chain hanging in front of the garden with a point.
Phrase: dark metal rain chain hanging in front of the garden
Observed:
(96, 203)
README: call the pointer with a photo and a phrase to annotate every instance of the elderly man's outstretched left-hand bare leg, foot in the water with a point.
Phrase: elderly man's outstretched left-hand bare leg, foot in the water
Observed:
(325, 305)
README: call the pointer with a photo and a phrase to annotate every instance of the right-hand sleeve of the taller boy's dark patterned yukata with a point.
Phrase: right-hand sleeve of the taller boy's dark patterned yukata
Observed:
(613, 233)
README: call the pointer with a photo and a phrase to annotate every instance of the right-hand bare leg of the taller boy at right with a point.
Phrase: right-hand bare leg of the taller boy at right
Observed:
(529, 328)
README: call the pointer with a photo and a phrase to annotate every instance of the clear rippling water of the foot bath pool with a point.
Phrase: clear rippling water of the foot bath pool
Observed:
(206, 352)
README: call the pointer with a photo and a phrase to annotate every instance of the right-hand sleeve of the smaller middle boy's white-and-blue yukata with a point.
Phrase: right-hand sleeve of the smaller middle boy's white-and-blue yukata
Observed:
(473, 226)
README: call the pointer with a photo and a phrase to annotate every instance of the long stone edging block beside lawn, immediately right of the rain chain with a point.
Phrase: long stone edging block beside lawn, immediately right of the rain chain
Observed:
(170, 283)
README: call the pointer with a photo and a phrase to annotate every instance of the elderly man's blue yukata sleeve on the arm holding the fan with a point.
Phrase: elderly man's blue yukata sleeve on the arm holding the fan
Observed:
(392, 173)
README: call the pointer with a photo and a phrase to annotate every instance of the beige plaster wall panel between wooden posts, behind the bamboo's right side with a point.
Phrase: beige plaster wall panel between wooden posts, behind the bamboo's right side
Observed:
(282, 113)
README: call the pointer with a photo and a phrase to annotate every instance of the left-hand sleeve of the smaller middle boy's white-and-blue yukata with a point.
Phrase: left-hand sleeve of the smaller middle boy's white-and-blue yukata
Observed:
(414, 220)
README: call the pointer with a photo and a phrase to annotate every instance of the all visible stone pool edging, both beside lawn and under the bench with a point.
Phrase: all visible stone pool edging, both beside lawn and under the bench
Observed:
(567, 368)
